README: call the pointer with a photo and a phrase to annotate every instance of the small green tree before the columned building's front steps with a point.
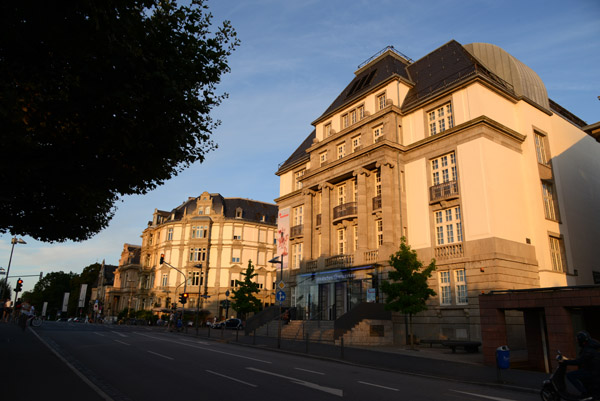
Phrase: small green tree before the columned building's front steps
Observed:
(408, 291)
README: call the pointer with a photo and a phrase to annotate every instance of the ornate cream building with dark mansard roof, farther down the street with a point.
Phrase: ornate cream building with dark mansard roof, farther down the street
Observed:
(207, 243)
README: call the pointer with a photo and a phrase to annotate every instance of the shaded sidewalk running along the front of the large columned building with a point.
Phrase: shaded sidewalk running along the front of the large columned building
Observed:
(436, 361)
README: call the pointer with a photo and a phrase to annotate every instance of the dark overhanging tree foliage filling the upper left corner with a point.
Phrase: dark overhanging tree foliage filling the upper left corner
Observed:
(101, 99)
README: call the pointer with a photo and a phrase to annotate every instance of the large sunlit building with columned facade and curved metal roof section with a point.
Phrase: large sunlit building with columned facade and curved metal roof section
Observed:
(461, 152)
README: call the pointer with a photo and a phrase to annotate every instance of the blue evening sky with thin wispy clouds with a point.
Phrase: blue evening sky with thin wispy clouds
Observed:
(295, 57)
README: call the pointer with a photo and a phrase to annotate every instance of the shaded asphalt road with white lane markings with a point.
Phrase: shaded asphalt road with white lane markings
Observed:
(139, 363)
